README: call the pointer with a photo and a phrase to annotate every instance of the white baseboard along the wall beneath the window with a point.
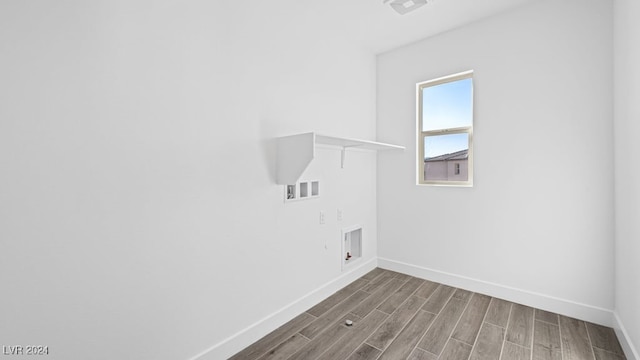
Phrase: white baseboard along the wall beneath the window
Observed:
(565, 307)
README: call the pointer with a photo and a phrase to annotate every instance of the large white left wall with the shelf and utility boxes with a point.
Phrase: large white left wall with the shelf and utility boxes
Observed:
(139, 217)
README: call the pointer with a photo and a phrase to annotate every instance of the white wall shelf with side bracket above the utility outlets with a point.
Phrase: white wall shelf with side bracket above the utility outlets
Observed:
(296, 152)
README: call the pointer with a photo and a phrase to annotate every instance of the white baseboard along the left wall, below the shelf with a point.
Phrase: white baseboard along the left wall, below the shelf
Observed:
(233, 344)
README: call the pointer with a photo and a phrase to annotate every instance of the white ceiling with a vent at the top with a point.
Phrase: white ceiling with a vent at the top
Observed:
(378, 27)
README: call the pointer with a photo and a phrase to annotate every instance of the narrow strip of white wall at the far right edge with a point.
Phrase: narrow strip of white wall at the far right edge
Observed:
(627, 184)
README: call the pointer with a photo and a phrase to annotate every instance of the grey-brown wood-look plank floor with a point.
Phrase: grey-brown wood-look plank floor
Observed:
(397, 317)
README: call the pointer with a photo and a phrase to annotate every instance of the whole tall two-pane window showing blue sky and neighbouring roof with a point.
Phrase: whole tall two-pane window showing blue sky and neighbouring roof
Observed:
(445, 130)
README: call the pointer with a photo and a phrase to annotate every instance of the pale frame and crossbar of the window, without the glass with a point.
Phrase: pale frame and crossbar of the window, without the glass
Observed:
(448, 131)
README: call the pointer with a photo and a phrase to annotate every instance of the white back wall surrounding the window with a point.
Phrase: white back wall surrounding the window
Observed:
(537, 227)
